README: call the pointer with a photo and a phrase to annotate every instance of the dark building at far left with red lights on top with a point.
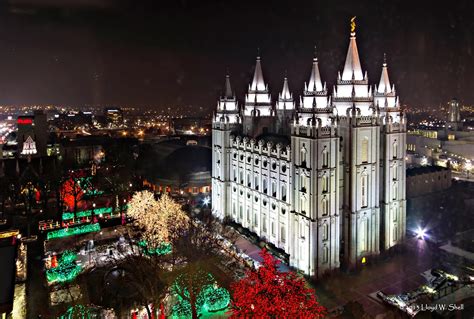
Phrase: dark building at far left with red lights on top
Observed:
(32, 135)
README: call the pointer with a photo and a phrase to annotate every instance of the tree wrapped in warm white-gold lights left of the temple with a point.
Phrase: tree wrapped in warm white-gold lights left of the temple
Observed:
(161, 221)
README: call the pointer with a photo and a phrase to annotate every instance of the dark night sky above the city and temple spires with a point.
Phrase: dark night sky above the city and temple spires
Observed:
(163, 53)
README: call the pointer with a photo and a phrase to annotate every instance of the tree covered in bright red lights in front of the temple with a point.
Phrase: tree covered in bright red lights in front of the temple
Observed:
(269, 293)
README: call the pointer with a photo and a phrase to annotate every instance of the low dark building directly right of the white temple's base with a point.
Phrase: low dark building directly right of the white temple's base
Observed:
(426, 180)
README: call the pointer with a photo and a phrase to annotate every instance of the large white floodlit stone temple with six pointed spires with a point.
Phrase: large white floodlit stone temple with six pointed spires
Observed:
(319, 178)
